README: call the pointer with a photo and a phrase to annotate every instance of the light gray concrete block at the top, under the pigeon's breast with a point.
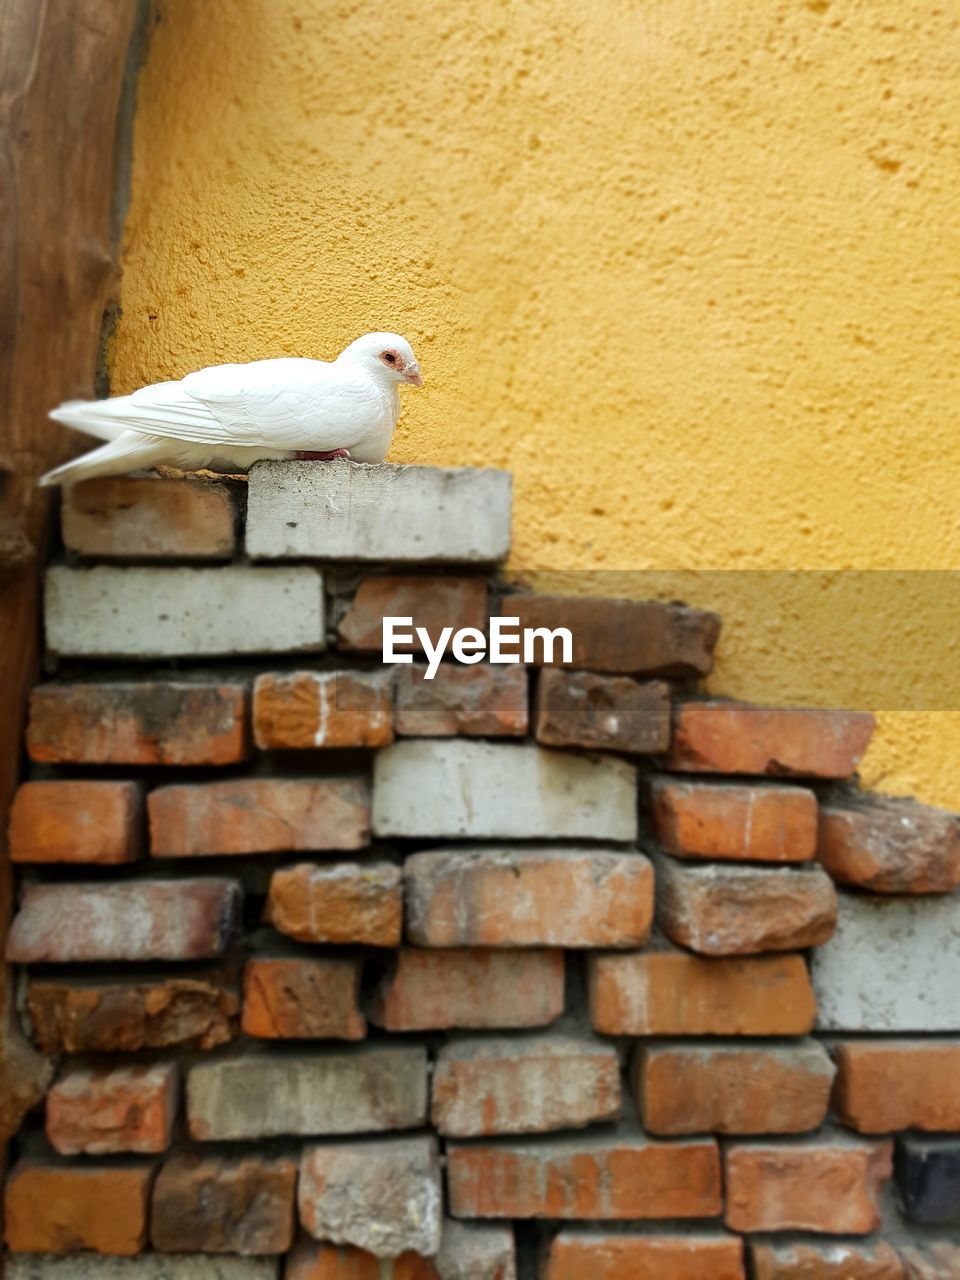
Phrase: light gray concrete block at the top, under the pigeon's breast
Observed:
(348, 511)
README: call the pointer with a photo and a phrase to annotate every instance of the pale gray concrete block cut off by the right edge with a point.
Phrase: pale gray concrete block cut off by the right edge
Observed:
(893, 966)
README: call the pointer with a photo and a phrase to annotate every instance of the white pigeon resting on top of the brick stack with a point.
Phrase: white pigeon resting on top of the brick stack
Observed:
(230, 417)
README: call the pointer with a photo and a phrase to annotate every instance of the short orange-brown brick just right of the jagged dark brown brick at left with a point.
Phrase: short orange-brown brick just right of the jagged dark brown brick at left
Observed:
(292, 998)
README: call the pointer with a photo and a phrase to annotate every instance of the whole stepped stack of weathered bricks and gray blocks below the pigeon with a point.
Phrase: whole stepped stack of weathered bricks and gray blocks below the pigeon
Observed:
(570, 973)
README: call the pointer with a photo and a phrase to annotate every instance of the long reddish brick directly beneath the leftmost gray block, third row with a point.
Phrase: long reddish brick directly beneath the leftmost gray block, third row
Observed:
(149, 723)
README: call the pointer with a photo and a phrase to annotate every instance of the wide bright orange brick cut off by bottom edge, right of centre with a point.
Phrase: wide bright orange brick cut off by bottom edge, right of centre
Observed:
(577, 1255)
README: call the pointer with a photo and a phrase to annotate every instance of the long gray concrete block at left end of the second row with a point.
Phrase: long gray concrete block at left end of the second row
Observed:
(113, 612)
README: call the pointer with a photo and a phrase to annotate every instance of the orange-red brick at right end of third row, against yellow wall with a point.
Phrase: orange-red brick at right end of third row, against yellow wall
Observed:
(738, 738)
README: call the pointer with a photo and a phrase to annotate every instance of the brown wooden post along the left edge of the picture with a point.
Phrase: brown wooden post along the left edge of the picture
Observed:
(62, 67)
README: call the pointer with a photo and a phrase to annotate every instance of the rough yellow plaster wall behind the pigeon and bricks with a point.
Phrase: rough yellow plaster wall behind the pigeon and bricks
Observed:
(688, 268)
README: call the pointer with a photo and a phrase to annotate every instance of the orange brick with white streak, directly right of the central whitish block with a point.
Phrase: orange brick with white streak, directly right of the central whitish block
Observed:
(762, 822)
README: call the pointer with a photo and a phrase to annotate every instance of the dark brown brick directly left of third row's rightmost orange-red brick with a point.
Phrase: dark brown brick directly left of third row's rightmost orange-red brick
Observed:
(602, 714)
